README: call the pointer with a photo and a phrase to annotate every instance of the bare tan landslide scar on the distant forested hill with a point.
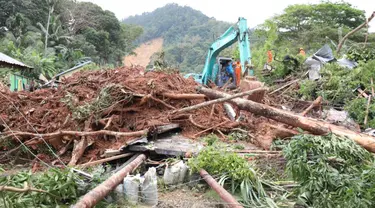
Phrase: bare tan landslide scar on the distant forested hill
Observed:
(144, 53)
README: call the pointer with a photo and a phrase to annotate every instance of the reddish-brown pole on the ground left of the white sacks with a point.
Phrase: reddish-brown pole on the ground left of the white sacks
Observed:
(98, 193)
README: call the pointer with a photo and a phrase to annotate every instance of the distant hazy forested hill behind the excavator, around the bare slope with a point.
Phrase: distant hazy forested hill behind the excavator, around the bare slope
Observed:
(187, 34)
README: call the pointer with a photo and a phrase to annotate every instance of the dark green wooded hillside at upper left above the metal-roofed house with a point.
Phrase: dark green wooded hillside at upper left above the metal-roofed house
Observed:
(53, 35)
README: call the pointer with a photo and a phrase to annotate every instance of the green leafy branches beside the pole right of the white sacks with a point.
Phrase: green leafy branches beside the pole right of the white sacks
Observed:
(236, 173)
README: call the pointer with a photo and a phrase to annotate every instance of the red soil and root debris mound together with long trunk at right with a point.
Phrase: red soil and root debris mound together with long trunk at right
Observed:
(93, 111)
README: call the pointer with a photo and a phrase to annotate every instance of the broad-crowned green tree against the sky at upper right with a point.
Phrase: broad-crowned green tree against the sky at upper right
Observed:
(310, 26)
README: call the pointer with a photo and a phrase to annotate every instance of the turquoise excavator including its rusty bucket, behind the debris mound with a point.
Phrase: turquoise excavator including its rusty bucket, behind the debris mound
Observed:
(215, 69)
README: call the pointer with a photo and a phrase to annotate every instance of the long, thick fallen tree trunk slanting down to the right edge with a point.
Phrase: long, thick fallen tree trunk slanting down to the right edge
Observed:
(307, 124)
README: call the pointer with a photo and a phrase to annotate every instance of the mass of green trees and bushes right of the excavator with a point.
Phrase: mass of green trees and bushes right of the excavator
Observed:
(307, 26)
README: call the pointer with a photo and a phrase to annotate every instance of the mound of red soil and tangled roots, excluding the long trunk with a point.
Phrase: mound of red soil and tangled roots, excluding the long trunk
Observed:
(106, 109)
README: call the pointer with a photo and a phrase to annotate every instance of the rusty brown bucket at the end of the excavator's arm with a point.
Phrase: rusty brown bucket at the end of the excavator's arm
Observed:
(249, 83)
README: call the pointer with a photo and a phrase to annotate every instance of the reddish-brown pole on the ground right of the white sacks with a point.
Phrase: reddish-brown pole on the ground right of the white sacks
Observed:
(224, 194)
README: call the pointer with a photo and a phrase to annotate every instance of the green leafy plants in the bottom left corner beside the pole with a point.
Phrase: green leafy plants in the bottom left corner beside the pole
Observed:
(63, 188)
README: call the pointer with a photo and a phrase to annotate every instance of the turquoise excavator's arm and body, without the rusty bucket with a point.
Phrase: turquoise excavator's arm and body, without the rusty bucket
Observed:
(214, 69)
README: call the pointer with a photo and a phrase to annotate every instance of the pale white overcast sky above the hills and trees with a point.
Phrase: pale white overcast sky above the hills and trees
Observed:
(254, 11)
